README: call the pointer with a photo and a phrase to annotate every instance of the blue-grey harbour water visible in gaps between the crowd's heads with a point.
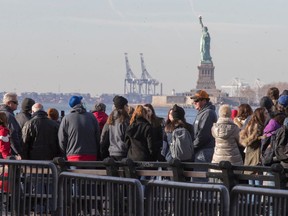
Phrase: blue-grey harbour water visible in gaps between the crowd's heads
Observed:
(190, 113)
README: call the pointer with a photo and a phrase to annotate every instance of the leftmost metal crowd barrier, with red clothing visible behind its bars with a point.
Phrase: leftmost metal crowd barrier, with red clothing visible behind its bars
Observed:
(28, 187)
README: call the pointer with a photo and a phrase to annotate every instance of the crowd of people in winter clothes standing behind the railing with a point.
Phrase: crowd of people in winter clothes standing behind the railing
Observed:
(241, 135)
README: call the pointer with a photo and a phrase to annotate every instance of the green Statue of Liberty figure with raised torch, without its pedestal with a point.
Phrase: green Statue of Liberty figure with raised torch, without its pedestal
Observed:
(205, 44)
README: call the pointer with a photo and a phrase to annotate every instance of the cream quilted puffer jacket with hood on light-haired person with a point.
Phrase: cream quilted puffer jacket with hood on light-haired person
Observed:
(226, 135)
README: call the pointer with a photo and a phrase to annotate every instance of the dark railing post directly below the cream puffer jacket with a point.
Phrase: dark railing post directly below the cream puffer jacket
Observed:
(229, 179)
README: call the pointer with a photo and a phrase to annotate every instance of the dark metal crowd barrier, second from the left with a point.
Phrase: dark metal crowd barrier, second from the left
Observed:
(83, 194)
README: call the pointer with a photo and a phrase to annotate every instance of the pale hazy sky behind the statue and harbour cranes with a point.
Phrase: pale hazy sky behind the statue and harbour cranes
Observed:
(78, 46)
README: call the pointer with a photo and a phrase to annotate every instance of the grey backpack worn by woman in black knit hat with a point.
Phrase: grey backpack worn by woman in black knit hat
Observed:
(182, 145)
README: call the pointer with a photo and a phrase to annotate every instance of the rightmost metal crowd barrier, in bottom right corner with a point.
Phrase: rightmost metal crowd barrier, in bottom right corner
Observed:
(250, 201)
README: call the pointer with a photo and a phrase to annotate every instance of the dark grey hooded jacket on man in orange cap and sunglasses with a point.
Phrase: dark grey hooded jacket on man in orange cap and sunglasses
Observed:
(203, 123)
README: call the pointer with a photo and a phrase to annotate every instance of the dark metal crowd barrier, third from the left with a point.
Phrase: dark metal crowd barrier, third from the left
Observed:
(183, 199)
